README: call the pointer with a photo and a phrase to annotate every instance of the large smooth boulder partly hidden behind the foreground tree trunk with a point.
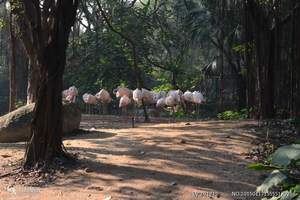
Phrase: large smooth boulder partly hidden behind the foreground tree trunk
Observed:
(15, 126)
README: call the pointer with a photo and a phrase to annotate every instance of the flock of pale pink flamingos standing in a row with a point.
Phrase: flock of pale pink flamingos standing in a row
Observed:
(127, 97)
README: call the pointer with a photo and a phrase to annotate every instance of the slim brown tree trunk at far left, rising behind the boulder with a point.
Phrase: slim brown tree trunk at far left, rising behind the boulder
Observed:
(12, 67)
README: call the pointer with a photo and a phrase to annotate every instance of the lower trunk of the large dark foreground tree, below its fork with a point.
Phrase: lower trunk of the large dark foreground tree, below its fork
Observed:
(46, 140)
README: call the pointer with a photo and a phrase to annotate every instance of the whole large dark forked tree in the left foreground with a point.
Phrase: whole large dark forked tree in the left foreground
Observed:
(44, 30)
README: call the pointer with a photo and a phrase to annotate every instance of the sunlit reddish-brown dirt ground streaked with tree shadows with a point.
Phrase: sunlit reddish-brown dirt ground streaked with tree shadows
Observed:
(157, 161)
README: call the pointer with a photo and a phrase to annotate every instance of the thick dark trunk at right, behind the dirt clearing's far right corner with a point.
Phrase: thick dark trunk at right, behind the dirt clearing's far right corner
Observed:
(264, 38)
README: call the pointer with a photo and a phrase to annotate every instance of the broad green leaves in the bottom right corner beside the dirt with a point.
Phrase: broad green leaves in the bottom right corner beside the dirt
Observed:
(285, 174)
